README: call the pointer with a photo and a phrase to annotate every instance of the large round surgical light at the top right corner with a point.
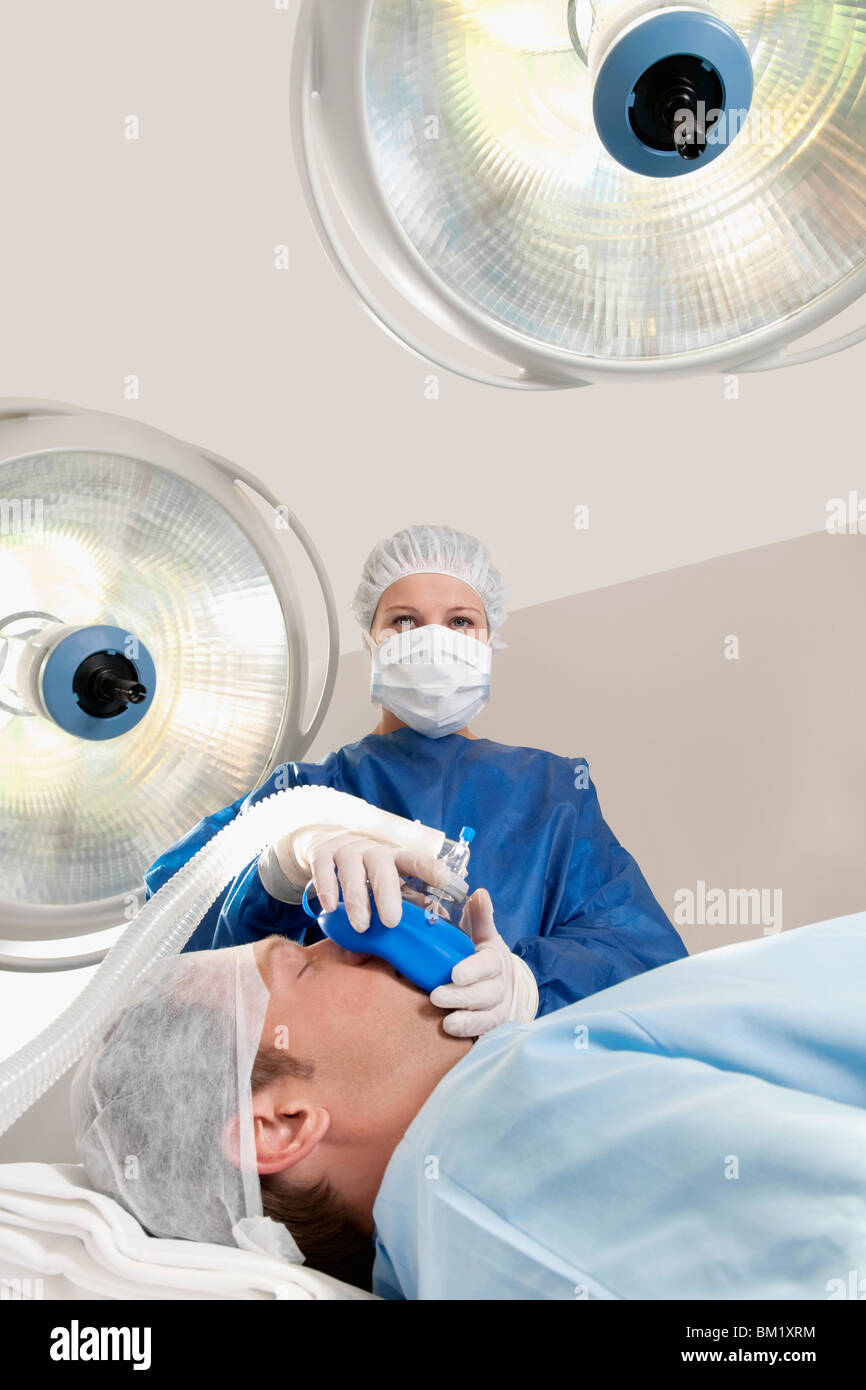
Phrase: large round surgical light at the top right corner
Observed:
(589, 190)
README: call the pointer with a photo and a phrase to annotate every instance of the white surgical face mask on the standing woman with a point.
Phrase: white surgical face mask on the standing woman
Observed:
(433, 678)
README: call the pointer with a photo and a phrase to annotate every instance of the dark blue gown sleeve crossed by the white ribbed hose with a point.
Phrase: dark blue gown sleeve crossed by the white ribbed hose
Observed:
(244, 911)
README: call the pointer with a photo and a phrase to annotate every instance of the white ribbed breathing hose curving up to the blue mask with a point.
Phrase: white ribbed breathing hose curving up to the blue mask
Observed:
(168, 921)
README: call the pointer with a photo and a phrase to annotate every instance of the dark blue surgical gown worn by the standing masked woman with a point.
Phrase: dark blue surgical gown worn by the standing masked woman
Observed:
(566, 896)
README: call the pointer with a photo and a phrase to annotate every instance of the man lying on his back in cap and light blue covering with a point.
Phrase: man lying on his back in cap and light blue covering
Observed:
(698, 1131)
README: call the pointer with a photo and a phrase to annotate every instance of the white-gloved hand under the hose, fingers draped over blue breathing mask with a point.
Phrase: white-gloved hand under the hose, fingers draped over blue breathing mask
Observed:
(350, 860)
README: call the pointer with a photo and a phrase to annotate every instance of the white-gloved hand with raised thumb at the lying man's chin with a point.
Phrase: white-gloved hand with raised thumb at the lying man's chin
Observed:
(490, 988)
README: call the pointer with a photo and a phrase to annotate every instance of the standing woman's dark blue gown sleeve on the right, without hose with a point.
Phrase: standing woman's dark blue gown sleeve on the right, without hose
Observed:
(605, 922)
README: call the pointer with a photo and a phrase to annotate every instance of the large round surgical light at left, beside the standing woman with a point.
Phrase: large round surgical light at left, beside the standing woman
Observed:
(154, 664)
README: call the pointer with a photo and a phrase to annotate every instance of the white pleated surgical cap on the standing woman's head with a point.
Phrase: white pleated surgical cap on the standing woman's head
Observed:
(430, 550)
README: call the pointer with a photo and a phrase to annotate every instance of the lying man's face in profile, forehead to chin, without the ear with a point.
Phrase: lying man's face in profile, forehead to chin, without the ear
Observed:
(354, 1018)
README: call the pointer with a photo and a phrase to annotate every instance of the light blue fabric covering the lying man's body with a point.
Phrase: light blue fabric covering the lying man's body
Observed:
(698, 1132)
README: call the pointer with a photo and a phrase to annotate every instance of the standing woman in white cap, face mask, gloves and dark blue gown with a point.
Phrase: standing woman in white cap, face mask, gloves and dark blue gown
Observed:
(573, 914)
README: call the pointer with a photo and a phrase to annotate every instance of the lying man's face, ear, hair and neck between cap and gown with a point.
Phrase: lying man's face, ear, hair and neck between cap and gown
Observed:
(366, 1052)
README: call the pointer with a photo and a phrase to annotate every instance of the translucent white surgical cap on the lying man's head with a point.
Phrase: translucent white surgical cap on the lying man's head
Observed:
(162, 1106)
